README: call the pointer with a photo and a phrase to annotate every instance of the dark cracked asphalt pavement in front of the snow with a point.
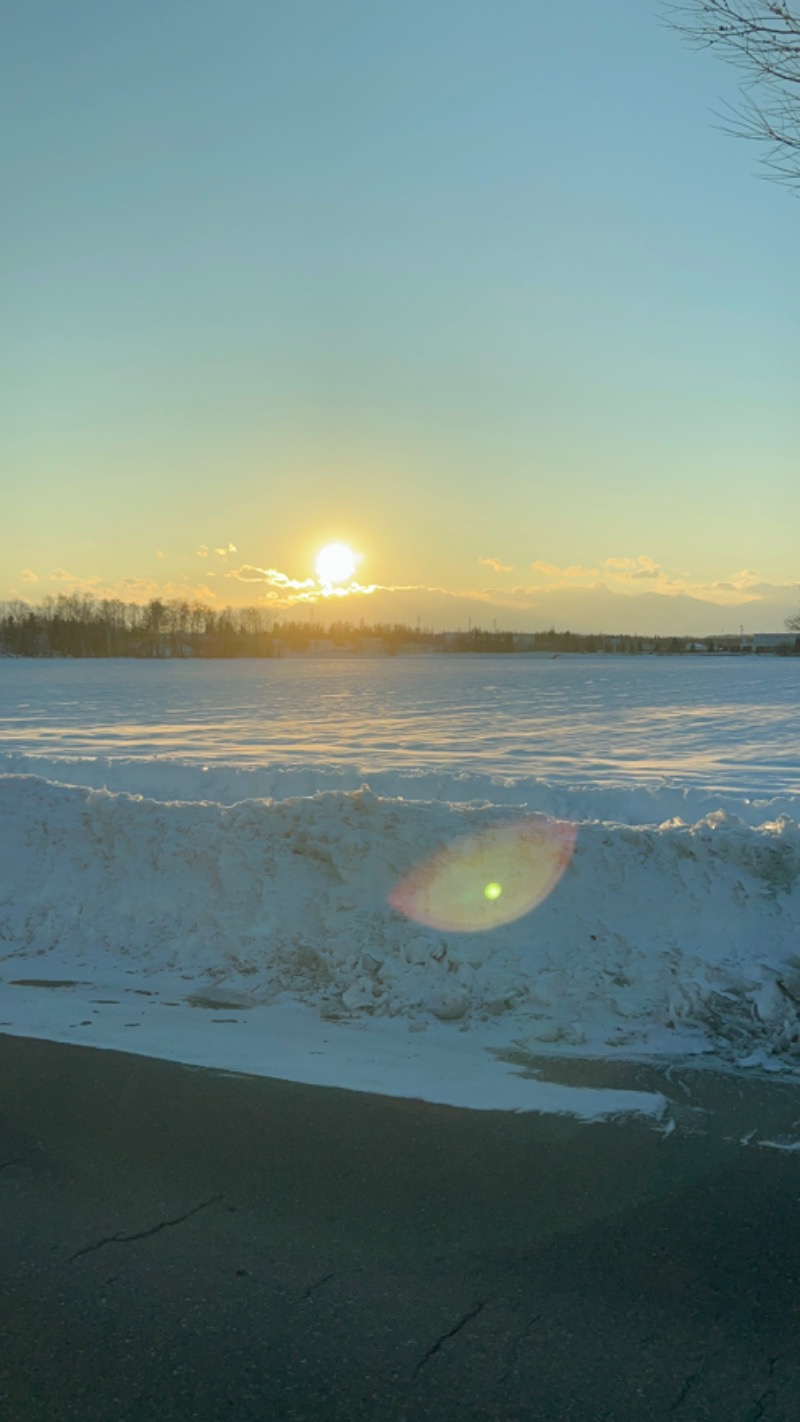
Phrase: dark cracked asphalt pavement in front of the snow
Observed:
(190, 1245)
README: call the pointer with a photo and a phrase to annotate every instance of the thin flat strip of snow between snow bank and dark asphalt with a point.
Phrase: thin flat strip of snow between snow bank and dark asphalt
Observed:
(289, 1042)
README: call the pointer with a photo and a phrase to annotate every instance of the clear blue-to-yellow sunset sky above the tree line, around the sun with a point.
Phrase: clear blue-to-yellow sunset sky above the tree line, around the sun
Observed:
(478, 289)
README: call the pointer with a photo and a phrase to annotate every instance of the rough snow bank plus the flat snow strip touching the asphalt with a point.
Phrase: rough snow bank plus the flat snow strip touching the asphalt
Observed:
(258, 897)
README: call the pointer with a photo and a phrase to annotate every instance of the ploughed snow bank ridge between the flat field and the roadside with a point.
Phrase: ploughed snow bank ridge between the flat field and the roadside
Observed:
(663, 935)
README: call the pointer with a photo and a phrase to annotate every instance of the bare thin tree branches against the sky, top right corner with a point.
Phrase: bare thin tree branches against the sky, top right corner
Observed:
(761, 38)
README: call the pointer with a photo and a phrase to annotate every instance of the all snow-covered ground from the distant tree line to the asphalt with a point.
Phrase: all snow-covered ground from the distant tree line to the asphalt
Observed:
(202, 862)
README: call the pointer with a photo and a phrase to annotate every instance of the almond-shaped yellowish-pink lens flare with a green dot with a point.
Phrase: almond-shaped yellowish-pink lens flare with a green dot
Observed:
(485, 881)
